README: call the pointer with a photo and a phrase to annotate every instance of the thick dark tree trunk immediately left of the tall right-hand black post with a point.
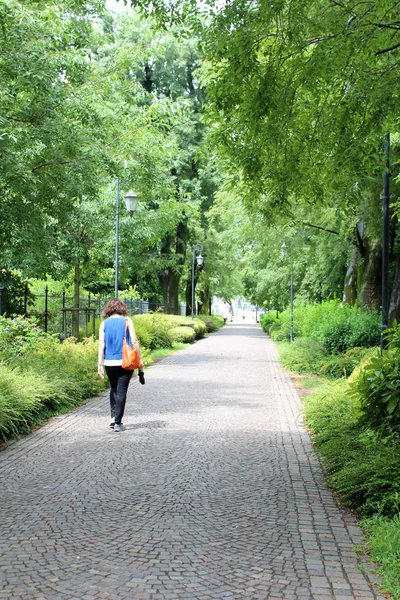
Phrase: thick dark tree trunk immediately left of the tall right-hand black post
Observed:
(370, 295)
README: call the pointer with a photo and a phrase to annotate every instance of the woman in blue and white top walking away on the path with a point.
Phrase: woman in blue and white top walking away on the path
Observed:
(111, 337)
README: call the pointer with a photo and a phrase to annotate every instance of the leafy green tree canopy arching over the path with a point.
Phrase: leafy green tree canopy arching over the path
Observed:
(240, 125)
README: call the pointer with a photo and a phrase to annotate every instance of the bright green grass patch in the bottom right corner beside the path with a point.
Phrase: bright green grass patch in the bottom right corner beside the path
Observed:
(383, 545)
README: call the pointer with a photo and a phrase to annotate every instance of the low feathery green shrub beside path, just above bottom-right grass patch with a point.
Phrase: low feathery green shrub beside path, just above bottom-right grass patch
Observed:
(363, 468)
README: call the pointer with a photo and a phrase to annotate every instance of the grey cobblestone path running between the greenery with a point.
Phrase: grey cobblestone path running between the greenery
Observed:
(213, 492)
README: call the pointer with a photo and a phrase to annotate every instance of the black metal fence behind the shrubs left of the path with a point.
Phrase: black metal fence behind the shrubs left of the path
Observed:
(54, 311)
